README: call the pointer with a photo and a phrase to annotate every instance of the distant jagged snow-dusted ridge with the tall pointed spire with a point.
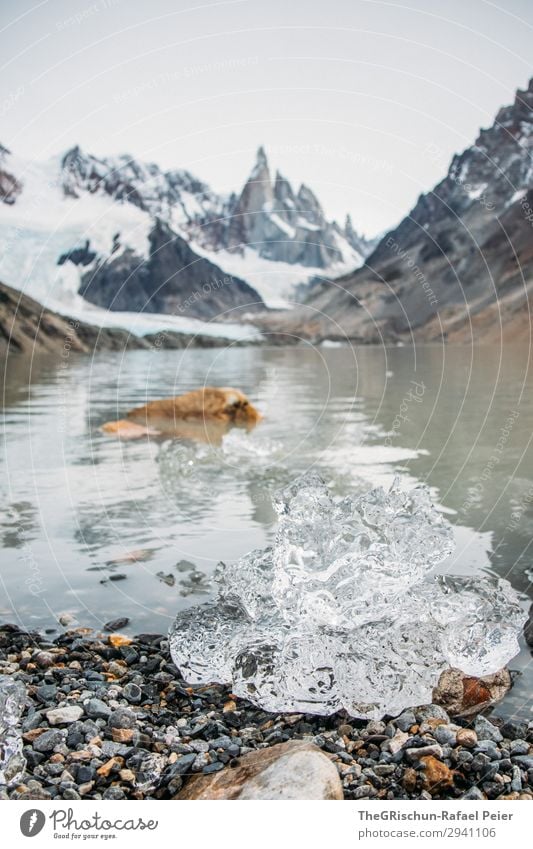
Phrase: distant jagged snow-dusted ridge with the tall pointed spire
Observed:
(267, 215)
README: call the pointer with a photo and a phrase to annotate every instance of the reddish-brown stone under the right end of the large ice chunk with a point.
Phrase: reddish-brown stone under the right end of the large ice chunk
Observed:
(464, 695)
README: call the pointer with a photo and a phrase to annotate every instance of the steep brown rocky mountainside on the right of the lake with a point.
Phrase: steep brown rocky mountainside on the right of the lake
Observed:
(460, 265)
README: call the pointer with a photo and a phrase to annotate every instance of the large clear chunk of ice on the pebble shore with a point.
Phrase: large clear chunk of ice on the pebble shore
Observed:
(341, 612)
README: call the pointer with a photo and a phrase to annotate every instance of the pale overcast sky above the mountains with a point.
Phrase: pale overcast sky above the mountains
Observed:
(364, 100)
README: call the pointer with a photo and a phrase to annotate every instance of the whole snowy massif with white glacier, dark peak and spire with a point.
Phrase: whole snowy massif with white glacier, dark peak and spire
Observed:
(127, 236)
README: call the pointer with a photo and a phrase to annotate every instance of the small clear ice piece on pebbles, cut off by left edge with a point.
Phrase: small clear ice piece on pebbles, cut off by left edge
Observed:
(12, 702)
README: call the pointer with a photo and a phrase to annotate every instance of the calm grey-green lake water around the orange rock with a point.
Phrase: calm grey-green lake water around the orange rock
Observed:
(79, 508)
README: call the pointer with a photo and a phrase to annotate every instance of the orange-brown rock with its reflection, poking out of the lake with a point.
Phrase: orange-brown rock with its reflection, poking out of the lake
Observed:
(204, 414)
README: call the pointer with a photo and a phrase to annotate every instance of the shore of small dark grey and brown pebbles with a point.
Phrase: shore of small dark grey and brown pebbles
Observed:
(108, 717)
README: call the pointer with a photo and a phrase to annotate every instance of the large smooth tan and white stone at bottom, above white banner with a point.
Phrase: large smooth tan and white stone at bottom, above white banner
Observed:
(293, 770)
